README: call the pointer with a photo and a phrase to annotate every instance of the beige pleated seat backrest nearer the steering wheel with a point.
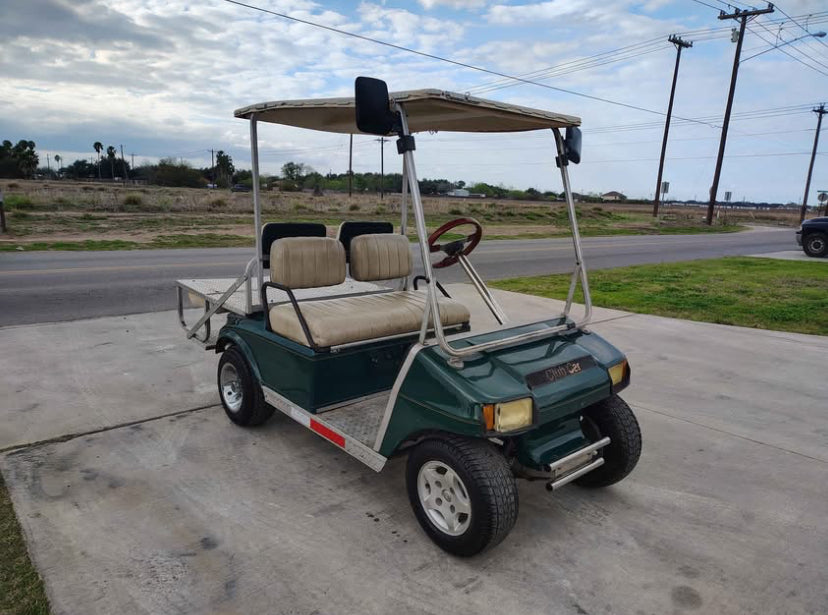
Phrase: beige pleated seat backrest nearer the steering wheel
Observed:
(380, 257)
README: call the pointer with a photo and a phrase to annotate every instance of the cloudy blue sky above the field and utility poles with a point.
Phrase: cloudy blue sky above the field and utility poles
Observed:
(163, 77)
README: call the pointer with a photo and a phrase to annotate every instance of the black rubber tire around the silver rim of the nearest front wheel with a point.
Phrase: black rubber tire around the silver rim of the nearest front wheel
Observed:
(491, 492)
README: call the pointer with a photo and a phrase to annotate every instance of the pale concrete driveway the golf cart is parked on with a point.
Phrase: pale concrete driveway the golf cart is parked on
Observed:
(158, 504)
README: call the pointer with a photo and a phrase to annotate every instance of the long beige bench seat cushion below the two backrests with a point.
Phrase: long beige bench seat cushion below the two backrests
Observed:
(354, 319)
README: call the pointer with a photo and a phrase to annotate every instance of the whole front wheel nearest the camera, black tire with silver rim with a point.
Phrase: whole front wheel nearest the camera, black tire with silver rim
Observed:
(463, 493)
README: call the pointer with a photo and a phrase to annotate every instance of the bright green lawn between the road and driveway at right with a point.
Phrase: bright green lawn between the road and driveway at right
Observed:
(745, 291)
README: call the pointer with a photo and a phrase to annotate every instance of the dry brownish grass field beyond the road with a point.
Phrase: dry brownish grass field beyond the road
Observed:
(81, 216)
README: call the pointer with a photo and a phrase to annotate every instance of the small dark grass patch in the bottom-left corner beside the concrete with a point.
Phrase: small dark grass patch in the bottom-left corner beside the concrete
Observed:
(21, 588)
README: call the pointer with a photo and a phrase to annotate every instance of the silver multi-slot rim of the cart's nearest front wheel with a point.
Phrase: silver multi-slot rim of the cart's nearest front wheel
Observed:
(444, 498)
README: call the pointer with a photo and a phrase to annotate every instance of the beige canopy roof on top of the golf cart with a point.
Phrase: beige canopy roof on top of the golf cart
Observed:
(432, 110)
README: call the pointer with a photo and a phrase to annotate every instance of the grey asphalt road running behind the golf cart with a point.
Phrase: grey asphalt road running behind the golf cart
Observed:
(57, 286)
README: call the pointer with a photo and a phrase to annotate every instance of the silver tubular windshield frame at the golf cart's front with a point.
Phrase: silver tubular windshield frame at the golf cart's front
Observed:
(456, 354)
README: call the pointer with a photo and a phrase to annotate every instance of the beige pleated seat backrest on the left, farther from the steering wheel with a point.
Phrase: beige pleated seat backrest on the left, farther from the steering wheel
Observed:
(307, 262)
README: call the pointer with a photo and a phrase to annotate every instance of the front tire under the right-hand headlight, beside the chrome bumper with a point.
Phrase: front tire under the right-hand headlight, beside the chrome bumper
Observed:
(614, 418)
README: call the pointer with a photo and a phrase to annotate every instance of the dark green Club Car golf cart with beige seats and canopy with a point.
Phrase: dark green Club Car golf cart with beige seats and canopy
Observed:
(340, 335)
